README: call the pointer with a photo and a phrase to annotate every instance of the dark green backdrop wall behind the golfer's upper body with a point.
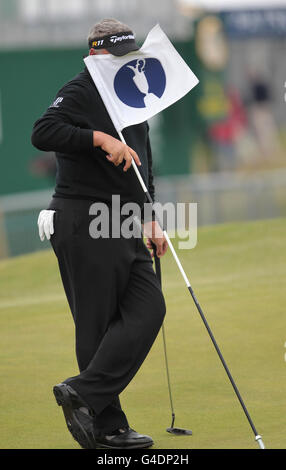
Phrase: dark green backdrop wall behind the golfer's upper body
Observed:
(29, 81)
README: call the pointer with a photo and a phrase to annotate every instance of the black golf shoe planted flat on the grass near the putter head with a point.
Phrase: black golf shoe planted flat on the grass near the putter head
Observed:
(125, 438)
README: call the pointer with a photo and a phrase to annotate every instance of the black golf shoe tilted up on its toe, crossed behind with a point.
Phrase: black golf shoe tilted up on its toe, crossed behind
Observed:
(79, 417)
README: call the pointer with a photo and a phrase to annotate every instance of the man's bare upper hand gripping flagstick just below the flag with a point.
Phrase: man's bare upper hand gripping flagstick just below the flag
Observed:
(117, 151)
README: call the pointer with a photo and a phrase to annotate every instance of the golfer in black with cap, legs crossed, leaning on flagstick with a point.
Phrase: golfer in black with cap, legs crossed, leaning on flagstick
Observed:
(112, 290)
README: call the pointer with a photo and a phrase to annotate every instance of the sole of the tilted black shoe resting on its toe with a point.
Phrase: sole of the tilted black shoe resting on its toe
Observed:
(76, 429)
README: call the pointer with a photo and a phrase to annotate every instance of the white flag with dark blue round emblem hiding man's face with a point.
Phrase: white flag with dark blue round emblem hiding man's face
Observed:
(138, 85)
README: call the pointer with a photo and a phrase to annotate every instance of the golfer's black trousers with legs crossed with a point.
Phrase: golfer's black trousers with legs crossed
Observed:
(117, 306)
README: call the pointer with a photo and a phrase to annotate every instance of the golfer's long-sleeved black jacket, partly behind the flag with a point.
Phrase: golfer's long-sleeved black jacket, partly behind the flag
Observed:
(83, 172)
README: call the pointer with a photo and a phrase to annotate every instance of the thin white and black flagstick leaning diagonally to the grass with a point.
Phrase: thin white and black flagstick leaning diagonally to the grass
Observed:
(257, 436)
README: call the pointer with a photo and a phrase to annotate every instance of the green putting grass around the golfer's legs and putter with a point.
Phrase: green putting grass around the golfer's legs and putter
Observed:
(238, 273)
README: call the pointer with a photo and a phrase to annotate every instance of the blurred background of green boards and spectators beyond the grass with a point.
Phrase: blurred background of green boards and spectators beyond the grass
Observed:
(222, 146)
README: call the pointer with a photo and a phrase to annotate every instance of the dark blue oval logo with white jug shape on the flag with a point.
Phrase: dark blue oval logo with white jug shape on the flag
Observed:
(140, 82)
